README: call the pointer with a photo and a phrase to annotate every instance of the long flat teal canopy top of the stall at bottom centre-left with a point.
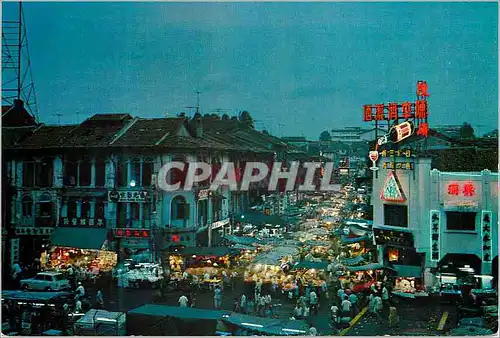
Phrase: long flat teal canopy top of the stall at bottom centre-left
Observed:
(178, 312)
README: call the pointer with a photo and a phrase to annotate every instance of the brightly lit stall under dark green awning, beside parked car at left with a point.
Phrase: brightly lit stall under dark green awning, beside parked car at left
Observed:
(85, 249)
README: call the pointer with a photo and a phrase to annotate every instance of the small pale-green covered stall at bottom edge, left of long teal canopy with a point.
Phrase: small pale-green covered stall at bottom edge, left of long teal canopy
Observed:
(101, 323)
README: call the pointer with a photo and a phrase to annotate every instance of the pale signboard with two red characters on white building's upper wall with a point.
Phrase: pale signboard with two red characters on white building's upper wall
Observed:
(458, 195)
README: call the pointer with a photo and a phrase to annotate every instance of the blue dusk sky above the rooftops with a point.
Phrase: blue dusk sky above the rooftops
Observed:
(307, 66)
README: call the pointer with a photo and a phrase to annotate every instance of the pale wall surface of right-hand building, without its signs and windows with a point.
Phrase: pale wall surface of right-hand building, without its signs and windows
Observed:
(426, 190)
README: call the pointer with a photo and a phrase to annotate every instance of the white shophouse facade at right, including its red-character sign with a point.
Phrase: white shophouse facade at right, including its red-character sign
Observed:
(446, 213)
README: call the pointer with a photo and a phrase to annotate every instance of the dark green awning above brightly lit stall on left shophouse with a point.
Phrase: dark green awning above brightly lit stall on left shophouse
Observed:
(81, 238)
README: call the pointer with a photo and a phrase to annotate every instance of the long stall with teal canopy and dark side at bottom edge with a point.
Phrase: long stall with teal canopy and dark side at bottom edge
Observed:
(159, 320)
